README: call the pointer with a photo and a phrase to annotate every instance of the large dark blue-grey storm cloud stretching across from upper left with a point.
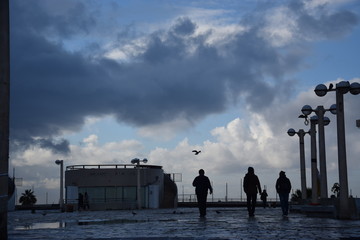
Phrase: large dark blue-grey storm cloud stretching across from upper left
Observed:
(179, 75)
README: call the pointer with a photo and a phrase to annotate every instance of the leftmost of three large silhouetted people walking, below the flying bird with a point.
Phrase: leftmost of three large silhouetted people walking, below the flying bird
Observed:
(202, 185)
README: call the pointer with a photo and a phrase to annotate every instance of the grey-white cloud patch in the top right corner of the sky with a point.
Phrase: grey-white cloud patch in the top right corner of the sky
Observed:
(306, 21)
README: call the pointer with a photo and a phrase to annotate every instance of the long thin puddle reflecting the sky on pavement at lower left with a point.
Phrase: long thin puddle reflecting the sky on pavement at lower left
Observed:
(54, 225)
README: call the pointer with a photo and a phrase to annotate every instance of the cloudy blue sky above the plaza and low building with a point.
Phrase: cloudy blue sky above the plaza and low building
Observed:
(103, 82)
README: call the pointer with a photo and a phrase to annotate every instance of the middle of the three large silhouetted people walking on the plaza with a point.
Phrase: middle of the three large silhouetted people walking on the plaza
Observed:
(251, 188)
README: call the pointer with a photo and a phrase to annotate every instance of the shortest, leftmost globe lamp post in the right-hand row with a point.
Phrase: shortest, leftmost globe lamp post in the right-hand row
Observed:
(301, 133)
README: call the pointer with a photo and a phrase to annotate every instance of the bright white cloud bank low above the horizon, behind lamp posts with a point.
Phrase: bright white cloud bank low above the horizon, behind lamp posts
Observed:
(256, 139)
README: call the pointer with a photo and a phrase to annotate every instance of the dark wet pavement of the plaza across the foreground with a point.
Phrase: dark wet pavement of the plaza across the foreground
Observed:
(181, 224)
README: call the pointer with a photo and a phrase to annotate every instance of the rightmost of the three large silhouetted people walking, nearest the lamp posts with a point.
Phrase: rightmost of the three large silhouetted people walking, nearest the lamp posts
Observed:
(283, 187)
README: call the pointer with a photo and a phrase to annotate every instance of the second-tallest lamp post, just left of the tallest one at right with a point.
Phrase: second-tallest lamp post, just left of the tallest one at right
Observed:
(322, 122)
